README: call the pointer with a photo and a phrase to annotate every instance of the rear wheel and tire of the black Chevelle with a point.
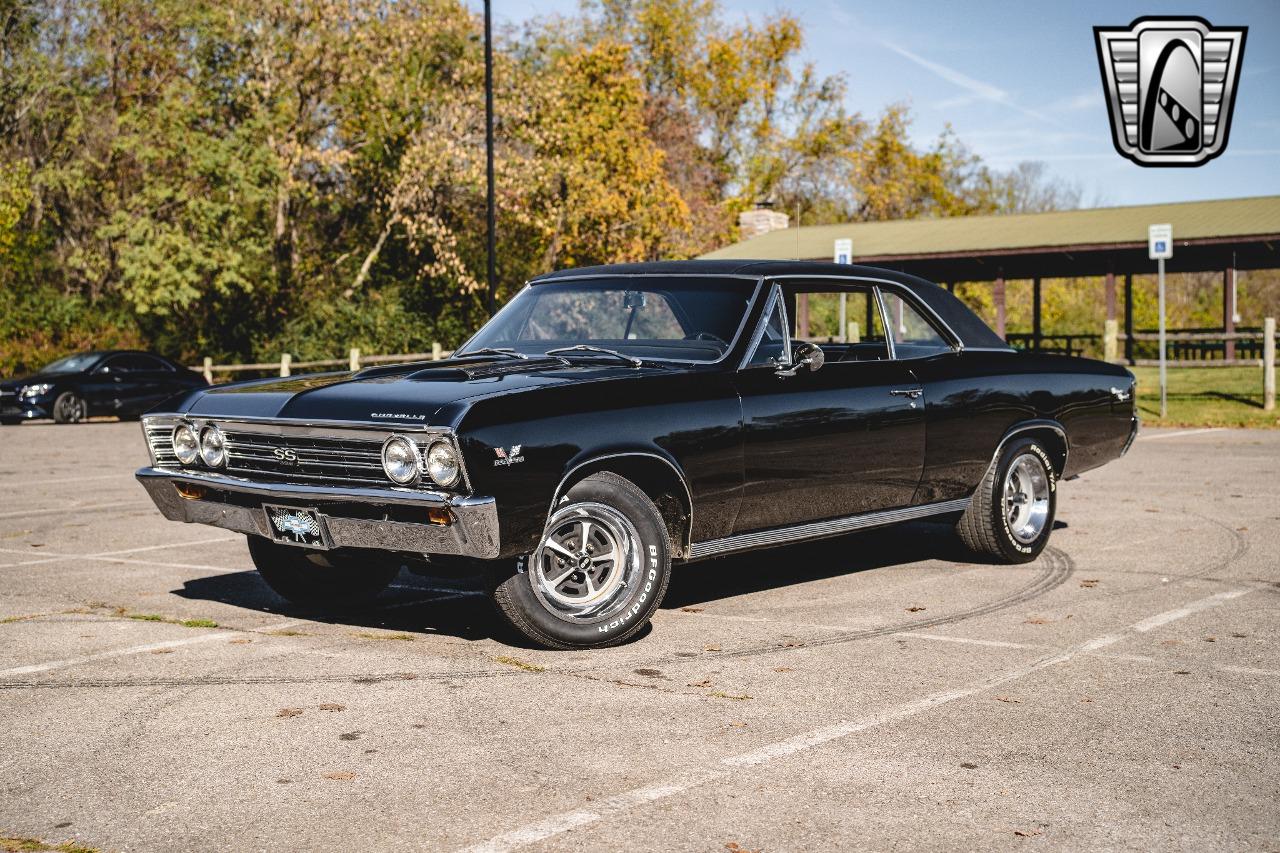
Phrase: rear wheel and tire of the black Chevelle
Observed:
(1012, 514)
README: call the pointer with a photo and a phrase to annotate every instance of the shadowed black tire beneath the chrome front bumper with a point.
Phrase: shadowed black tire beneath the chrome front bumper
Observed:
(328, 581)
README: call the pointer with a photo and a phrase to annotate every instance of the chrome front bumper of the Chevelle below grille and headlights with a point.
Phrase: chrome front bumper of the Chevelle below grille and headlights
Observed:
(386, 522)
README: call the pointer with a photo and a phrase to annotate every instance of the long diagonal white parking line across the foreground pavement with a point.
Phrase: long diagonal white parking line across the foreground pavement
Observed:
(566, 822)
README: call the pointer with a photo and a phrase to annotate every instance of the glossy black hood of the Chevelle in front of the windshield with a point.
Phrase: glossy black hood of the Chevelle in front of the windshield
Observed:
(400, 395)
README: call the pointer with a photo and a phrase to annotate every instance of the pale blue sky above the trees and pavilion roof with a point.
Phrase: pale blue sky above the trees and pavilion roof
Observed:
(1020, 81)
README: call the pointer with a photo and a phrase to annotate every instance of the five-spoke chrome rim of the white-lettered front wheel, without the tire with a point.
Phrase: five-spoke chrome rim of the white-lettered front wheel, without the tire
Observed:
(588, 559)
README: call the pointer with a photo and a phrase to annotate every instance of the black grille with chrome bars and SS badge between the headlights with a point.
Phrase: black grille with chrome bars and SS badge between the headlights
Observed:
(330, 460)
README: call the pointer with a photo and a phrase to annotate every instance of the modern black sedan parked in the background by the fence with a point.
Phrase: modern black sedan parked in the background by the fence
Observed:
(107, 382)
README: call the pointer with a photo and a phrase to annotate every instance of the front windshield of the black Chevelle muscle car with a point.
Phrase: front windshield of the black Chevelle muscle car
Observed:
(660, 318)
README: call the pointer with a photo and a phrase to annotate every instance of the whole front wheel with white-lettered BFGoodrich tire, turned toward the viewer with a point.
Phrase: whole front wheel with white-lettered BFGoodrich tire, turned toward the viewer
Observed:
(598, 574)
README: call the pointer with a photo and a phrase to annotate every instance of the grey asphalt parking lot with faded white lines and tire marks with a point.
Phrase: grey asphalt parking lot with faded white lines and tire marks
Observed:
(874, 692)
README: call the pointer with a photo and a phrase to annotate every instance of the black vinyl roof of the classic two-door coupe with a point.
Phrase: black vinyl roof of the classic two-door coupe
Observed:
(967, 325)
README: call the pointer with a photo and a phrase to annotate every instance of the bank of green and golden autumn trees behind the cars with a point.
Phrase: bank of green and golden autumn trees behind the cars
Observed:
(241, 179)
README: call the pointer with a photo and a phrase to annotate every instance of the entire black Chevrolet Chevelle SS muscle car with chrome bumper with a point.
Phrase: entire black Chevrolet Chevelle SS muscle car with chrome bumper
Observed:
(612, 421)
